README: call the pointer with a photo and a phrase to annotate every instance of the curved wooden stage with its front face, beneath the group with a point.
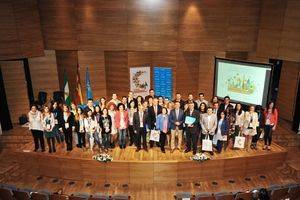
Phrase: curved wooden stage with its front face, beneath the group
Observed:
(149, 167)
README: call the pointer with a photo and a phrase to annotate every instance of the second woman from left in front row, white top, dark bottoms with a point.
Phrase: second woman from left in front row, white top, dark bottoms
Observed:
(48, 125)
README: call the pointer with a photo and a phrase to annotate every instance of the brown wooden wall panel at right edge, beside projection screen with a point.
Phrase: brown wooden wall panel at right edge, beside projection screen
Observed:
(288, 85)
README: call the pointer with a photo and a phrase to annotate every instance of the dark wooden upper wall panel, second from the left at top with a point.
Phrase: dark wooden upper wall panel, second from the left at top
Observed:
(58, 24)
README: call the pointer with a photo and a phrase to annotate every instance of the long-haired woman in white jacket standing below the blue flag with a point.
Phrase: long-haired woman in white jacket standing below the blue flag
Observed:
(90, 124)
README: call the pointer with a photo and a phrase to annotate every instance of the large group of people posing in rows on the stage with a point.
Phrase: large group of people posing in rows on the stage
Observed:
(129, 121)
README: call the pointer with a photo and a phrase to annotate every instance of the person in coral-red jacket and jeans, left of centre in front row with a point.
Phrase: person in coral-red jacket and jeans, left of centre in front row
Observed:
(121, 120)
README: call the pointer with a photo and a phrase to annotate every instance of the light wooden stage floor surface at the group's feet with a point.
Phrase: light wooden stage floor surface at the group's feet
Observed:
(154, 154)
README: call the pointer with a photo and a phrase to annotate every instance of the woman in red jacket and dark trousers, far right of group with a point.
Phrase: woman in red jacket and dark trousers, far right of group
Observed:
(271, 119)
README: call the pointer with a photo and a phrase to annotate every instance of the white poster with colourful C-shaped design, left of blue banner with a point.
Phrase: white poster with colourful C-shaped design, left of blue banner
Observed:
(140, 80)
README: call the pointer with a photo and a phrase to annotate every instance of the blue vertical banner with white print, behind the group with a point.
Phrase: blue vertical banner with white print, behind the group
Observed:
(163, 81)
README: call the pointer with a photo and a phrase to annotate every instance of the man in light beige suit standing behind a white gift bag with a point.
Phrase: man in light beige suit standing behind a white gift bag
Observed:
(209, 124)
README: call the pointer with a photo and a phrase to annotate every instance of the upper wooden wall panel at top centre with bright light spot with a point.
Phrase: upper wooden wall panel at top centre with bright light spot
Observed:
(152, 25)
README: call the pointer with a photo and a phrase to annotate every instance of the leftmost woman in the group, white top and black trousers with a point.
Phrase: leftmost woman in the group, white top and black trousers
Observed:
(36, 127)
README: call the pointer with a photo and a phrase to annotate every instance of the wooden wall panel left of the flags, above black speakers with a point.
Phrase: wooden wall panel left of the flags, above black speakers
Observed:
(44, 76)
